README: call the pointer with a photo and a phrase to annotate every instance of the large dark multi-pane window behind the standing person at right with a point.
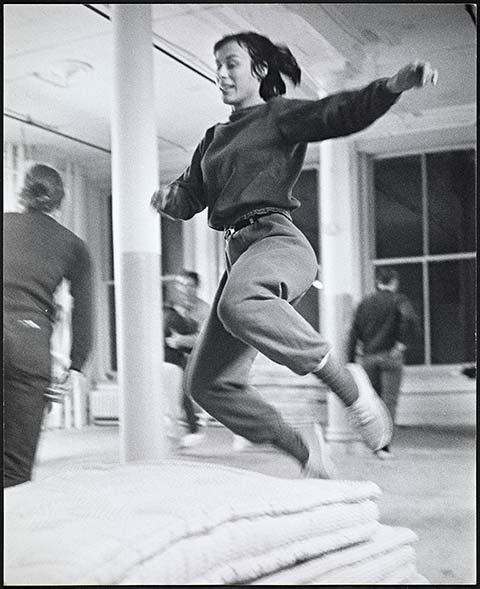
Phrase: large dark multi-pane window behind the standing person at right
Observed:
(424, 227)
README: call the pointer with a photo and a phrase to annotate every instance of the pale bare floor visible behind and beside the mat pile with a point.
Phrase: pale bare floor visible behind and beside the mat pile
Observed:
(428, 486)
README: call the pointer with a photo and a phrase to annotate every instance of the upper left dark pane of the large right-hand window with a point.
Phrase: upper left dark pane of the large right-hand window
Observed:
(398, 207)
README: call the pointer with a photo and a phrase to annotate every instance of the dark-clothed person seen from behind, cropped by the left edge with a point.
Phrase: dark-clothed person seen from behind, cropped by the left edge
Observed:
(38, 254)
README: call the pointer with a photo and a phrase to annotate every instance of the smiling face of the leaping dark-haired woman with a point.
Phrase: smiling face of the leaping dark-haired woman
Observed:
(238, 85)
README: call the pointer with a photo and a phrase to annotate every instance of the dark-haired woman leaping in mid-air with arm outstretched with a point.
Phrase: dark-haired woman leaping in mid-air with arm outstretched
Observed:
(243, 171)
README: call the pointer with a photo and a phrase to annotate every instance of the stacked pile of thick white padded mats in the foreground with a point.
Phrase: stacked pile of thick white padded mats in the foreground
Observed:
(179, 523)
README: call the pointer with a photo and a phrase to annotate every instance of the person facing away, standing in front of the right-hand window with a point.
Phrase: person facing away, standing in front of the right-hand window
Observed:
(384, 322)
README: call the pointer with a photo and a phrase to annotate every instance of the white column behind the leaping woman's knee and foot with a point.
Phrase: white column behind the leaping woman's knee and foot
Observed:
(340, 247)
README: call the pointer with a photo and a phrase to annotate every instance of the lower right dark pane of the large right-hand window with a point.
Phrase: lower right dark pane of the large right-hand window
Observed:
(452, 311)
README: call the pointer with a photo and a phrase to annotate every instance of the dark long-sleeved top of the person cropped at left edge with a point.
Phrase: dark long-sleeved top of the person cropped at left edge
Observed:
(38, 254)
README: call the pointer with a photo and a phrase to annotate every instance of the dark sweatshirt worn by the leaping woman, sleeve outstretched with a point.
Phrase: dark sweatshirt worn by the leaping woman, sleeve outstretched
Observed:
(252, 162)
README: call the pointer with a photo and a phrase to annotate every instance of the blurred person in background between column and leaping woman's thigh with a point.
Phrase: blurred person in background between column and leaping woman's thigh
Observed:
(183, 318)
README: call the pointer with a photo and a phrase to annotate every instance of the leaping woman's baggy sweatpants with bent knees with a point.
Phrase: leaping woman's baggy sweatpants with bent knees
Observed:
(270, 266)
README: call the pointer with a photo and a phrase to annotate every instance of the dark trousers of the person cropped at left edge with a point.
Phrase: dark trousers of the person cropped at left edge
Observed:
(27, 366)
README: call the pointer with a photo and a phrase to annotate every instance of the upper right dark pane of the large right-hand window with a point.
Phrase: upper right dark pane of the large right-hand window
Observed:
(451, 201)
